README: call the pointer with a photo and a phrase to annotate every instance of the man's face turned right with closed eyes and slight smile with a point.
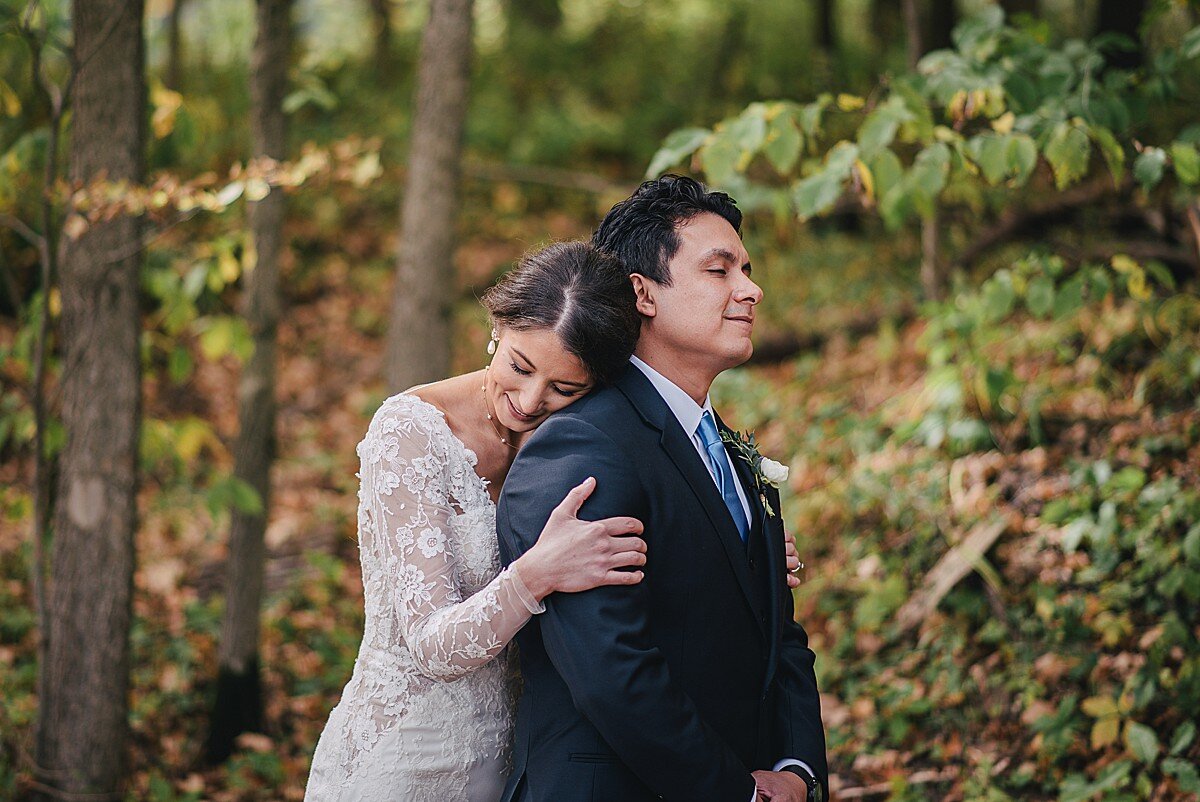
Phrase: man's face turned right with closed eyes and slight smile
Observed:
(707, 313)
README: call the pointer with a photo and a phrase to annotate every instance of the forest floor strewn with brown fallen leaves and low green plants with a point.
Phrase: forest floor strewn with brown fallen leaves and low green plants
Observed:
(976, 687)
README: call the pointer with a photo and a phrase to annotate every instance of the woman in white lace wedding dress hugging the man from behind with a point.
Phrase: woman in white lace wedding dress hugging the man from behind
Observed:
(428, 714)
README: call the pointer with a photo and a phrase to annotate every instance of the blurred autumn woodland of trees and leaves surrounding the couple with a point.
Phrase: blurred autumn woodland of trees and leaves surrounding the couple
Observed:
(979, 230)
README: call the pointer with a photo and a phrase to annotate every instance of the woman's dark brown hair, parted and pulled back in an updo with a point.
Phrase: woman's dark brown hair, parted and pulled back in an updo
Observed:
(581, 295)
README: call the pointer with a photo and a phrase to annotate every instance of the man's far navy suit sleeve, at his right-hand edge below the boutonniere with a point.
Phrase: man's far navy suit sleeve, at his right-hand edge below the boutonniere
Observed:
(799, 727)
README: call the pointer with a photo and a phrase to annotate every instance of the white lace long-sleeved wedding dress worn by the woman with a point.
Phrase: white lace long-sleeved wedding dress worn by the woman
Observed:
(428, 714)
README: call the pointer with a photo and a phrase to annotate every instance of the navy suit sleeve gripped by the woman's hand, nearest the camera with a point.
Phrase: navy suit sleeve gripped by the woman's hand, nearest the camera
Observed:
(599, 641)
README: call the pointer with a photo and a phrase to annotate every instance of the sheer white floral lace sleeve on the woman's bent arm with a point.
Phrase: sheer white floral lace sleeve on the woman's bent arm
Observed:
(406, 496)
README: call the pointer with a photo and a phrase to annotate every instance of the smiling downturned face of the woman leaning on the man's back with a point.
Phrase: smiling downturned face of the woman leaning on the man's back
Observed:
(533, 375)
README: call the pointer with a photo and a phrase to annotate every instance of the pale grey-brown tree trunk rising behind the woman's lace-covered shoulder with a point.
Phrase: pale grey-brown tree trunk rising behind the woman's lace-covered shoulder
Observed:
(419, 331)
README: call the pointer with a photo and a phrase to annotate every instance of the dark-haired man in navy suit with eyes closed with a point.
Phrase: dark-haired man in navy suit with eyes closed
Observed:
(695, 684)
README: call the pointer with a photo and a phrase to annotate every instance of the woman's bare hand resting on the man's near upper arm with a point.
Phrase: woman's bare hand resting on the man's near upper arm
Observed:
(574, 555)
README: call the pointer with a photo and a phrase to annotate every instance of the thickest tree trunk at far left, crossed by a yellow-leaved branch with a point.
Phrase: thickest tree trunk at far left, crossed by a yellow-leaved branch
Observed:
(82, 731)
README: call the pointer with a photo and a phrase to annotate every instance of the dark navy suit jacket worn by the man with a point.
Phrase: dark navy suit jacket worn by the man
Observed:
(681, 686)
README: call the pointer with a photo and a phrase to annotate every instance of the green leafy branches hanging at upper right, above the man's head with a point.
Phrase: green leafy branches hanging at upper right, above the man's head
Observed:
(998, 105)
